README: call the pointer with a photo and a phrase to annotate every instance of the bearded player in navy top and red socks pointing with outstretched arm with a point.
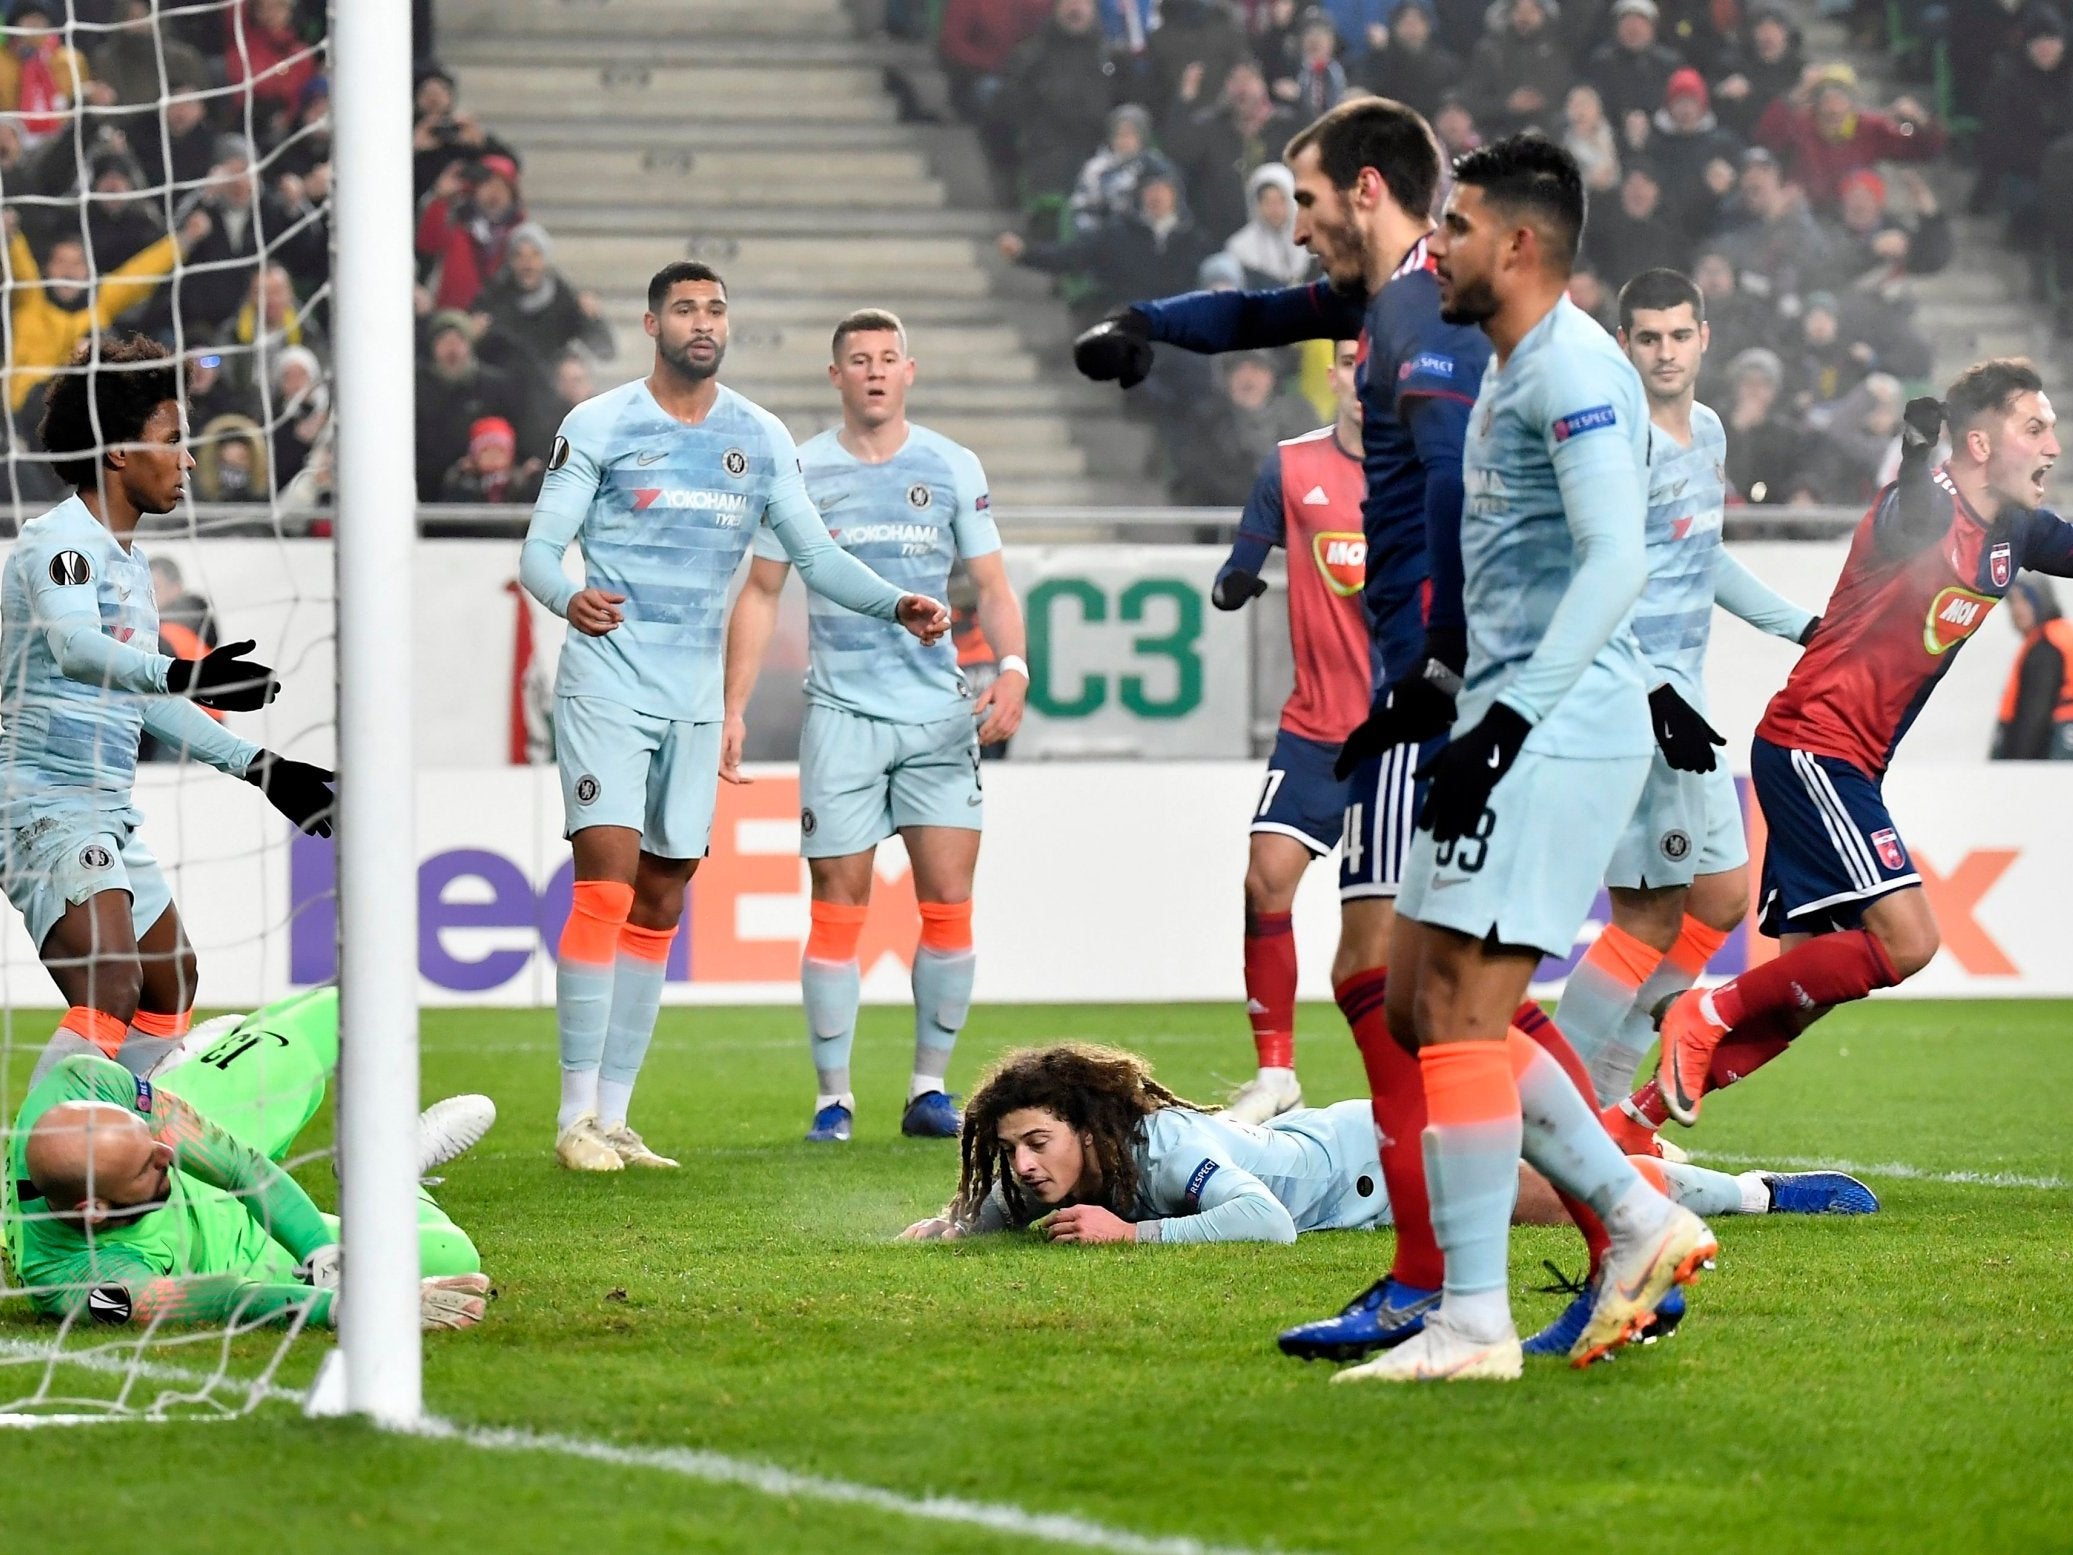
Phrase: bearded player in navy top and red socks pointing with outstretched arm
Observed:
(1367, 175)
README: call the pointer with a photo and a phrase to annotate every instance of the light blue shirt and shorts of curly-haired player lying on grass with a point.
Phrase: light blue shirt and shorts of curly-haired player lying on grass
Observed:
(1319, 1164)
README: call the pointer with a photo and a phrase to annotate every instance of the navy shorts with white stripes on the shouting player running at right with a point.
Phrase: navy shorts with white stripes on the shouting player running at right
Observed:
(1831, 851)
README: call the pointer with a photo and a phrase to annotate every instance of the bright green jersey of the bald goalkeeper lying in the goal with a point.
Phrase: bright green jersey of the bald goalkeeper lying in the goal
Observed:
(231, 1231)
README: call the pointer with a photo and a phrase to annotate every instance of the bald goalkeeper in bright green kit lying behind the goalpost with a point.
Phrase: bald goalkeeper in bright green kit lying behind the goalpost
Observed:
(130, 1201)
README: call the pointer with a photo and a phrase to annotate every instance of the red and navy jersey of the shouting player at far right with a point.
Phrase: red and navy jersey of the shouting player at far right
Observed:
(1898, 619)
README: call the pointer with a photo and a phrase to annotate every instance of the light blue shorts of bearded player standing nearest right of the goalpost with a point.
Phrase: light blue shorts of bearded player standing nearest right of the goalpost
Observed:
(650, 774)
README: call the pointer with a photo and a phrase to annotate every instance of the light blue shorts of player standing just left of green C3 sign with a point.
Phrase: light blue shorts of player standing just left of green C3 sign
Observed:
(863, 779)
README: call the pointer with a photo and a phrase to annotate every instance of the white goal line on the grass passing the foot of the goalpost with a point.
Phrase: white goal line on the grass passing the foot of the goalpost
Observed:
(685, 1463)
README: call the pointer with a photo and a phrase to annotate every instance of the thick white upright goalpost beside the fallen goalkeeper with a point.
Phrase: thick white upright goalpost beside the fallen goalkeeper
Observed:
(382, 1359)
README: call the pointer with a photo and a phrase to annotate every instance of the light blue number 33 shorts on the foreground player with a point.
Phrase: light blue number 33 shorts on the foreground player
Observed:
(1533, 868)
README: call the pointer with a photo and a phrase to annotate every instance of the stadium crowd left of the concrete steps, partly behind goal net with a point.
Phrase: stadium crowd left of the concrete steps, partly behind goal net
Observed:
(146, 188)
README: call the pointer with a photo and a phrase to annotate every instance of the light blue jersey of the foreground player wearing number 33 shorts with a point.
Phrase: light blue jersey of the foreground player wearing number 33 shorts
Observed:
(1564, 412)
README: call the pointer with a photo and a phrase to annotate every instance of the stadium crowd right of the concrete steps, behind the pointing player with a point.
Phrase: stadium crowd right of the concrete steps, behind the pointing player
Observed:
(1143, 161)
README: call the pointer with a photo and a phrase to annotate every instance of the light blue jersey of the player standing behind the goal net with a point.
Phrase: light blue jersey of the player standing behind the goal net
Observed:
(72, 743)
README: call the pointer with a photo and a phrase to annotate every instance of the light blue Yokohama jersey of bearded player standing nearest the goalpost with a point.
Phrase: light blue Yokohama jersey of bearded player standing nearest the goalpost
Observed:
(664, 513)
